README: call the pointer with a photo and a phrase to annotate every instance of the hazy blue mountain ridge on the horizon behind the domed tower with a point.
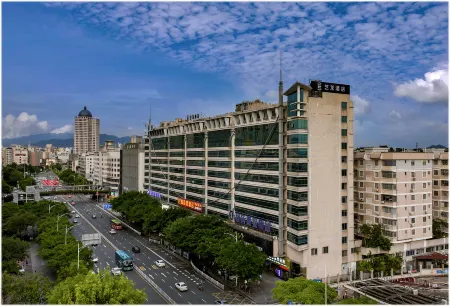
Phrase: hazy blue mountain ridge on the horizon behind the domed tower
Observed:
(57, 141)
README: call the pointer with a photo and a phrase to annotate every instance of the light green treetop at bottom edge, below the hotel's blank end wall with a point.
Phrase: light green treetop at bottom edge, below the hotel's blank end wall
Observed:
(304, 291)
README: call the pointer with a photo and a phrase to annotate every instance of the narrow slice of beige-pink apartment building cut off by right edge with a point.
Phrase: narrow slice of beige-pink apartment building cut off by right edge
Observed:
(440, 184)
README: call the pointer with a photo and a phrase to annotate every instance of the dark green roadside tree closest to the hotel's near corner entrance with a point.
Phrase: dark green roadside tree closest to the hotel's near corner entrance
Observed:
(243, 260)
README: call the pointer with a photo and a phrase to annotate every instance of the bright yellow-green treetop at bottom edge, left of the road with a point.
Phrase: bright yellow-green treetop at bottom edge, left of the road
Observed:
(101, 288)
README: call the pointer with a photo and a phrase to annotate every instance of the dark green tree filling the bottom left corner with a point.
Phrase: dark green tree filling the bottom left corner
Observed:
(25, 289)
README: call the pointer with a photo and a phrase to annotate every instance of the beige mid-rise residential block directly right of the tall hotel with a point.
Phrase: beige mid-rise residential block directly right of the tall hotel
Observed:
(394, 189)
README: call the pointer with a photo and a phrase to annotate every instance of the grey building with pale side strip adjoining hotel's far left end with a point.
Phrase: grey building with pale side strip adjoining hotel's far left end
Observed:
(132, 169)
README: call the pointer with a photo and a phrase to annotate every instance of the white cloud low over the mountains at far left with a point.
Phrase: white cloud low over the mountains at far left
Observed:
(22, 125)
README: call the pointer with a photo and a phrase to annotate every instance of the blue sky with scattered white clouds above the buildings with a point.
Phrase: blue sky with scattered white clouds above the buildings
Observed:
(119, 59)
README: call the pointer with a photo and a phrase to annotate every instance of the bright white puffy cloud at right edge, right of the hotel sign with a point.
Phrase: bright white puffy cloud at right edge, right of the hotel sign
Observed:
(432, 89)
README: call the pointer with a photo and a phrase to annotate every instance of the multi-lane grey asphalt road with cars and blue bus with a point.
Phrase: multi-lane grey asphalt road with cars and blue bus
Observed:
(175, 270)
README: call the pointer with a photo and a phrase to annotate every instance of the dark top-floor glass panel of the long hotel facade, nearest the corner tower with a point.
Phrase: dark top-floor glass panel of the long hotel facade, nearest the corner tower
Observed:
(257, 135)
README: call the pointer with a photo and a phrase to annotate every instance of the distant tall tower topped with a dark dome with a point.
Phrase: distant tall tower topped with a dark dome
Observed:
(86, 135)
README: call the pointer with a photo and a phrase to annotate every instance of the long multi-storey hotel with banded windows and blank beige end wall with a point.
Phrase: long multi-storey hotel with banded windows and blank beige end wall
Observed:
(291, 186)
